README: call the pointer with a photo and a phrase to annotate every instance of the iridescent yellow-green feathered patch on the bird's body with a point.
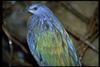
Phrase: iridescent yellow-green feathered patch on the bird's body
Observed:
(52, 48)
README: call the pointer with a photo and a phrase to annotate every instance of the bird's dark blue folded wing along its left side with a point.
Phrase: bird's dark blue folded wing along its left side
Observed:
(31, 38)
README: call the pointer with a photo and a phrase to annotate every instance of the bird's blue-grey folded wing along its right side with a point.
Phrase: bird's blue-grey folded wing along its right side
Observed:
(71, 48)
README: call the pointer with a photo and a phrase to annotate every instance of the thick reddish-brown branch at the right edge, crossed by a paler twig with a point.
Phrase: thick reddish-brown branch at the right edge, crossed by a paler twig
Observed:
(92, 31)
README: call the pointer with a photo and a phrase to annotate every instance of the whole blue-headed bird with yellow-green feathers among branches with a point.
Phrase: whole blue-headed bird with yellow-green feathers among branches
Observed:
(47, 39)
